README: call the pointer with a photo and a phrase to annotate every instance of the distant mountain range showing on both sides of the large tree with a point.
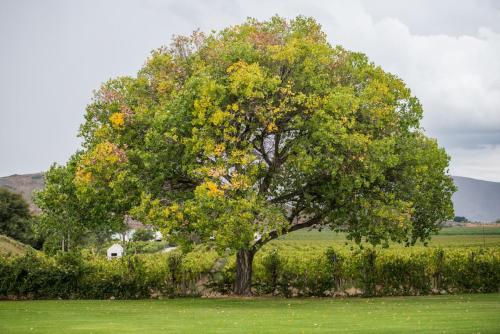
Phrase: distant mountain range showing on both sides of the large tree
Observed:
(476, 200)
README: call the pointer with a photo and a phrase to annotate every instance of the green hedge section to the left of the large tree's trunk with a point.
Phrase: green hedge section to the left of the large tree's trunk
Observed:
(71, 275)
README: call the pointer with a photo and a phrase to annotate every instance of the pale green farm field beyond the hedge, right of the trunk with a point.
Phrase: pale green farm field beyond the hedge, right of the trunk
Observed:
(447, 237)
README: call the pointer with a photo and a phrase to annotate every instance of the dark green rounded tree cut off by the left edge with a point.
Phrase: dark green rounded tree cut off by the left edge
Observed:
(15, 216)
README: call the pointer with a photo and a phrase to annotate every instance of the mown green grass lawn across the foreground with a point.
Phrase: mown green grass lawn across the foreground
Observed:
(431, 314)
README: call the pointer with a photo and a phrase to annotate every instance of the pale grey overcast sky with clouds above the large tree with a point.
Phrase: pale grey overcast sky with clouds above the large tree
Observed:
(55, 53)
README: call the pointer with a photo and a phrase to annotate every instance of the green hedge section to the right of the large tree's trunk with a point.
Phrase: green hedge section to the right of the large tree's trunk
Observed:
(315, 272)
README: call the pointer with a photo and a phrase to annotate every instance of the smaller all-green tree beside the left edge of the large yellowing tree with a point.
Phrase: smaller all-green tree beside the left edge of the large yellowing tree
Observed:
(70, 218)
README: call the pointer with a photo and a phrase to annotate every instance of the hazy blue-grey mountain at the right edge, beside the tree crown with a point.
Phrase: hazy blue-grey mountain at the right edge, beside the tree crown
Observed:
(477, 200)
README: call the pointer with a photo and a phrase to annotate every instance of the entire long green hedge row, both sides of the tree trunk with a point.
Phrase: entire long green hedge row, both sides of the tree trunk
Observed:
(281, 271)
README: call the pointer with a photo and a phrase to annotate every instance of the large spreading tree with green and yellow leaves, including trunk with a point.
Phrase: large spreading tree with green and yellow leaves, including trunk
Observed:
(259, 130)
